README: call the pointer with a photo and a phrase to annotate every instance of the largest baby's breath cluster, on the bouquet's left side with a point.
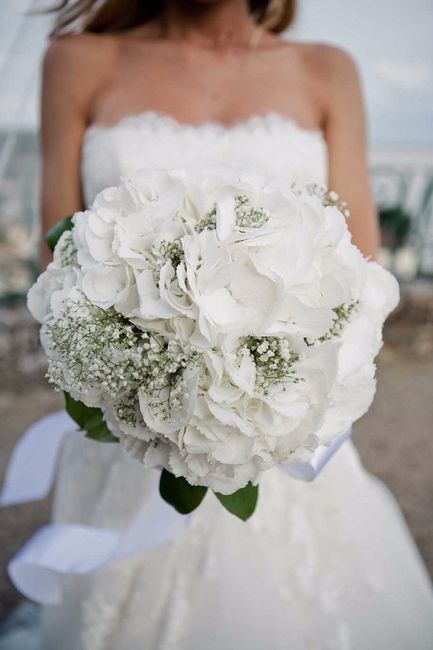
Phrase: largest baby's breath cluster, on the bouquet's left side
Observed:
(93, 348)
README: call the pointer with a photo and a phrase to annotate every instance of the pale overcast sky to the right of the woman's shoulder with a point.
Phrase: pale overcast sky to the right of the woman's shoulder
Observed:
(392, 43)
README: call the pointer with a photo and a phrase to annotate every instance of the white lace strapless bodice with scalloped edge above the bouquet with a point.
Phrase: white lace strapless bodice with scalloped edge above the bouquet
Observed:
(274, 145)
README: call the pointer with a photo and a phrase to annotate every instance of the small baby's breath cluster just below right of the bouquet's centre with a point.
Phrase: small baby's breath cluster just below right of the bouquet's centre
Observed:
(273, 358)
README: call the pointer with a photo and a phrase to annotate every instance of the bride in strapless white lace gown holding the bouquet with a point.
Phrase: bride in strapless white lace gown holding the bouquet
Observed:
(321, 565)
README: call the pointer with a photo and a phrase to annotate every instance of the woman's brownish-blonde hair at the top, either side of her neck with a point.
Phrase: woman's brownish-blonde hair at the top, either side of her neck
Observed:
(114, 16)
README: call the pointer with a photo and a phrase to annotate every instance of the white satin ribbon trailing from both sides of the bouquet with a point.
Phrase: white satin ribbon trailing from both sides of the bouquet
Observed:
(58, 549)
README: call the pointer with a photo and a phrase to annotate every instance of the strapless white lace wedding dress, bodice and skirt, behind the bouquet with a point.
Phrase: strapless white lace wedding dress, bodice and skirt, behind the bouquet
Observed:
(327, 565)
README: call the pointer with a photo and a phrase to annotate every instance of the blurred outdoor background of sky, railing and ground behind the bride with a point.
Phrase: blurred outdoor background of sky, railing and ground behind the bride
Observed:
(392, 42)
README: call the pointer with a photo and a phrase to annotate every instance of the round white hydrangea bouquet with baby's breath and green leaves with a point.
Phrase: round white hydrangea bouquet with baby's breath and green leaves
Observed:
(213, 326)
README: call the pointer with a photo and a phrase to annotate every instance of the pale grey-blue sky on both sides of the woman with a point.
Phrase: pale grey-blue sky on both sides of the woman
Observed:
(391, 41)
